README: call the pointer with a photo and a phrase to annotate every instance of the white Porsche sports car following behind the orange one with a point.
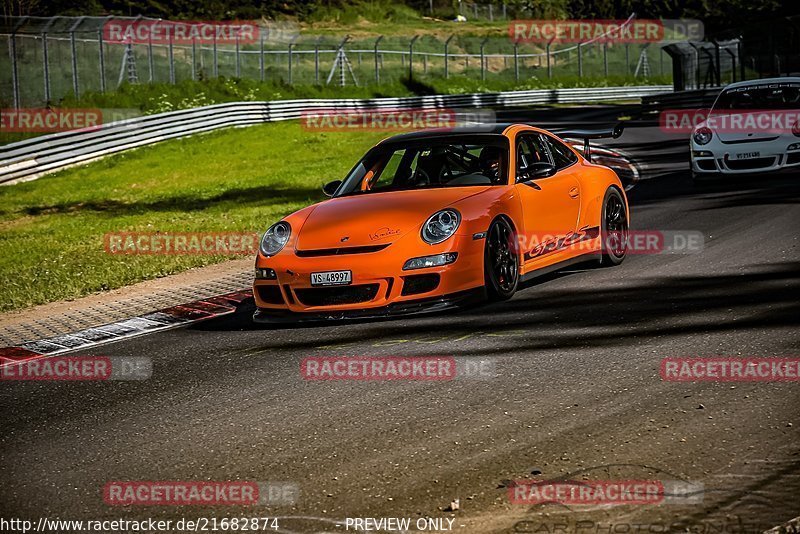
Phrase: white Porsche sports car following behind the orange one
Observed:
(753, 126)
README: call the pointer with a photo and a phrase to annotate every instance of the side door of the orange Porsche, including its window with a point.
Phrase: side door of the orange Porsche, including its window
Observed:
(550, 205)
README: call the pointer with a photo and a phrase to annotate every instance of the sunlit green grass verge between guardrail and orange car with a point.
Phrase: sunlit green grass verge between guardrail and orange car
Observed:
(52, 229)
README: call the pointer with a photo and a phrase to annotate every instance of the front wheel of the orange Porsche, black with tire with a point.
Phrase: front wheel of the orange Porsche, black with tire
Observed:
(501, 261)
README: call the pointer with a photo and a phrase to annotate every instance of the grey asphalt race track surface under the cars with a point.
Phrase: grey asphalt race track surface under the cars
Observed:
(576, 392)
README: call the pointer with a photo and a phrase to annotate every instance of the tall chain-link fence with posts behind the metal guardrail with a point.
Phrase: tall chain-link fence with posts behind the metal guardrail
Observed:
(45, 59)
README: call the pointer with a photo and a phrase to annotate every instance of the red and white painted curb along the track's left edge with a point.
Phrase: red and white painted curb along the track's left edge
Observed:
(173, 317)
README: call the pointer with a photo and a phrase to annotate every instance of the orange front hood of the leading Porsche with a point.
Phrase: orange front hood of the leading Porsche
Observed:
(375, 218)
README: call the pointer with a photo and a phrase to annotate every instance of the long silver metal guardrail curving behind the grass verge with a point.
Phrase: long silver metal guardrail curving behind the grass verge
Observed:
(29, 159)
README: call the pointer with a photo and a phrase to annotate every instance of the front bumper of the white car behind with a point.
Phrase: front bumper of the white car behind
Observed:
(722, 158)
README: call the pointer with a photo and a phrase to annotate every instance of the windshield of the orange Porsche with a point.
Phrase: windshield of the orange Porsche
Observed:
(430, 163)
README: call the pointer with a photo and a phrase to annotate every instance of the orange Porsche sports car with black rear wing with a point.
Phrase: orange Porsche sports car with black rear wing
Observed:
(434, 219)
